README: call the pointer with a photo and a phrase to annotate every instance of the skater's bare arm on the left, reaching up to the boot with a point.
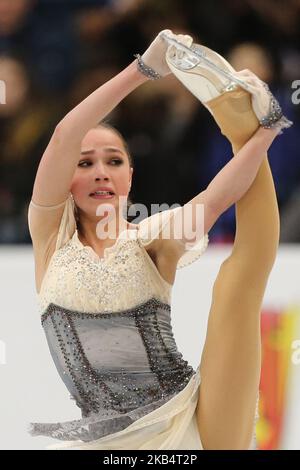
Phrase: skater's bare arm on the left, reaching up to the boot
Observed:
(60, 158)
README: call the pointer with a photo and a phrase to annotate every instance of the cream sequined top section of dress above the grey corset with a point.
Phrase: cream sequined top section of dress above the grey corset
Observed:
(78, 279)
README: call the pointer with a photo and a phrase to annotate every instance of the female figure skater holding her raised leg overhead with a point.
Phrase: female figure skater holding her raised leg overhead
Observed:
(105, 307)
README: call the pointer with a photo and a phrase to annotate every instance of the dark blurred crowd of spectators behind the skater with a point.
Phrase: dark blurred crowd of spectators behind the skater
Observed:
(53, 53)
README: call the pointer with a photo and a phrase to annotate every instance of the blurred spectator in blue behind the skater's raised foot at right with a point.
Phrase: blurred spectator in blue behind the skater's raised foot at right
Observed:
(283, 155)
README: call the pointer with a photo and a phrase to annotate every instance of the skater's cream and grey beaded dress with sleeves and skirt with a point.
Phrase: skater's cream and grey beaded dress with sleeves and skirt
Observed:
(108, 326)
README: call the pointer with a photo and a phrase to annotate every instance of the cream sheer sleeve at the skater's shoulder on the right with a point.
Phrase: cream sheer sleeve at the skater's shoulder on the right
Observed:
(152, 226)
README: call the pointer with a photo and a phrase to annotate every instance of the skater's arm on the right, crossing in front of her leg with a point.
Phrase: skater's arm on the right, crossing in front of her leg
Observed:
(234, 180)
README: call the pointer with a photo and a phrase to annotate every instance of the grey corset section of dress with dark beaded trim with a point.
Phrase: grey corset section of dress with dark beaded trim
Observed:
(117, 366)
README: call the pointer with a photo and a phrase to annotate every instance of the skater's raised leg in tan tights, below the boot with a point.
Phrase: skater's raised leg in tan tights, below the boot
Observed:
(231, 360)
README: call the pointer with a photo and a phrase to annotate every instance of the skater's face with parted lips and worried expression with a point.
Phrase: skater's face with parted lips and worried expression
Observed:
(103, 163)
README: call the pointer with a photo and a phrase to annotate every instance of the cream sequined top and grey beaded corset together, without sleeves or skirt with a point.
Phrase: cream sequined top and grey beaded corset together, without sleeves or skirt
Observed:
(108, 326)
